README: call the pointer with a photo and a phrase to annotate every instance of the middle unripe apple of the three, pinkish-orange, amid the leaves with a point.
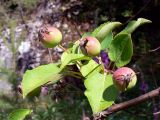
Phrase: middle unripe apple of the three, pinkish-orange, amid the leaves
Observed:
(90, 46)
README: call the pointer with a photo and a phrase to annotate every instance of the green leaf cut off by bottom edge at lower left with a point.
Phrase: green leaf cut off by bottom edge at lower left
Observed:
(19, 114)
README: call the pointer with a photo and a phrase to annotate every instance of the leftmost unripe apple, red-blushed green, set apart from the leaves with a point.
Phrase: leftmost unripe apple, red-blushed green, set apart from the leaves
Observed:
(50, 36)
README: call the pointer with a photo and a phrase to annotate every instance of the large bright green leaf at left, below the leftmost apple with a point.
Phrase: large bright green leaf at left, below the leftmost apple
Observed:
(39, 76)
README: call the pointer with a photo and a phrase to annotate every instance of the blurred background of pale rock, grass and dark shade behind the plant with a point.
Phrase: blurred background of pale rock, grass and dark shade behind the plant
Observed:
(20, 50)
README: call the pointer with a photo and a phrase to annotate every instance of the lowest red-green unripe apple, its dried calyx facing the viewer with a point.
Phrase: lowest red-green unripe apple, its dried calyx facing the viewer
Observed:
(124, 78)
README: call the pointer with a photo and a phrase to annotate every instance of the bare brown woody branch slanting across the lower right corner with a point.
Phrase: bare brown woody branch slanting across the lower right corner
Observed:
(127, 104)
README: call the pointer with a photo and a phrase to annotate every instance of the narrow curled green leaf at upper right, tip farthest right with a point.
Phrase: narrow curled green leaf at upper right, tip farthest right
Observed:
(133, 25)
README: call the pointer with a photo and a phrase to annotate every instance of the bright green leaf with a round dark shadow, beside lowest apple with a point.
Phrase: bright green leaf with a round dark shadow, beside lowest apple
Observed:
(100, 91)
